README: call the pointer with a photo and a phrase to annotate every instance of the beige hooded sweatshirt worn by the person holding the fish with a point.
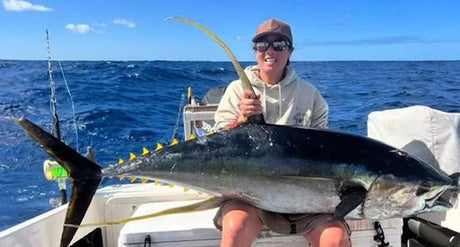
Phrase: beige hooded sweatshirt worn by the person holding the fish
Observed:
(292, 101)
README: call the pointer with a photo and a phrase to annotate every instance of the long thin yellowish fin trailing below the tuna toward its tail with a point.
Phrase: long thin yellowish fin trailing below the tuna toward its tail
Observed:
(210, 203)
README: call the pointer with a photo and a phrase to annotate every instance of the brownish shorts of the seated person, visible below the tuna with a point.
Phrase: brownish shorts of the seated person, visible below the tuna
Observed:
(285, 223)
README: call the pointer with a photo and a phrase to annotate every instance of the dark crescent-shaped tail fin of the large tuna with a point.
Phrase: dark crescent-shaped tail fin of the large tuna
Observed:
(85, 175)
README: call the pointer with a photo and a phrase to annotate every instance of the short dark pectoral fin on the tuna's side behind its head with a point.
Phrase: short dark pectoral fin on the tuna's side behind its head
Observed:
(351, 197)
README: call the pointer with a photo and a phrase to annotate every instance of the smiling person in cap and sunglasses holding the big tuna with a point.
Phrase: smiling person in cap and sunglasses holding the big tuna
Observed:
(284, 99)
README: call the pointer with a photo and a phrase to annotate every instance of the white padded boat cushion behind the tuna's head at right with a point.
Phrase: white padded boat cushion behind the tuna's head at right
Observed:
(429, 134)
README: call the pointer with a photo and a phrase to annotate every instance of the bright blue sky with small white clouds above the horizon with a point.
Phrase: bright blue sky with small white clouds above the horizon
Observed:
(136, 30)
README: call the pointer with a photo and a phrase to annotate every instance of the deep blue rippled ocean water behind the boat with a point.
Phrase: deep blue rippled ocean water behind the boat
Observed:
(121, 107)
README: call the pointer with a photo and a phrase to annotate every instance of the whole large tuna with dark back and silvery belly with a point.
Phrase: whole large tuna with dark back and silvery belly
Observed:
(276, 168)
